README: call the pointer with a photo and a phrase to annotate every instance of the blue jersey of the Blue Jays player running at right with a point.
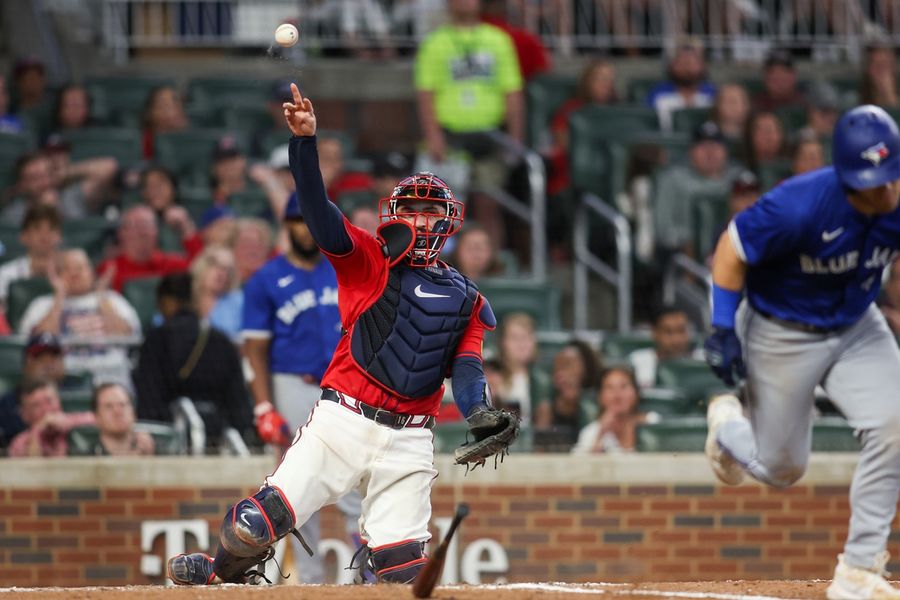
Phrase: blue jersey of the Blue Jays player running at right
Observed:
(812, 257)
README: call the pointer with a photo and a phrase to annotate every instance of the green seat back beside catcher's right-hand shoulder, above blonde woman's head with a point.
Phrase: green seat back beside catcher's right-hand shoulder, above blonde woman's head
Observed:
(540, 300)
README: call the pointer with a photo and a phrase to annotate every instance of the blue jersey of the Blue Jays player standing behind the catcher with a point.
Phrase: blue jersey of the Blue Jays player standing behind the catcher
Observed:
(298, 310)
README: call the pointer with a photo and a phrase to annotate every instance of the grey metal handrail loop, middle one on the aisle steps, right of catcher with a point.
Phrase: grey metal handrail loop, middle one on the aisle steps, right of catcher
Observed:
(619, 277)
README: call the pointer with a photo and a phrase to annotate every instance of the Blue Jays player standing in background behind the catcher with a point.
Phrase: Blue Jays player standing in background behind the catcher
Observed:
(291, 327)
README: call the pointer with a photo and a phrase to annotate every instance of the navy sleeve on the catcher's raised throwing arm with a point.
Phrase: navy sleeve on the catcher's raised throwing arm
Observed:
(324, 218)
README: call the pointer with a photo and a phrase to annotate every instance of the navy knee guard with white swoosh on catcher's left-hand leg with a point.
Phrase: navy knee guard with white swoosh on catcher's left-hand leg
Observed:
(257, 522)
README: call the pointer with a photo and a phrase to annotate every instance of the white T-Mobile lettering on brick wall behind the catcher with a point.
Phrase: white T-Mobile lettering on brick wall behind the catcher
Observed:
(482, 557)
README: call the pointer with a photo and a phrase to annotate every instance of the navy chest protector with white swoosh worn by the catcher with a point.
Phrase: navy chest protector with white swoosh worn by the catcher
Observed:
(407, 339)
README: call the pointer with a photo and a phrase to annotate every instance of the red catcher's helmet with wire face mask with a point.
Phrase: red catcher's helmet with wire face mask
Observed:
(415, 196)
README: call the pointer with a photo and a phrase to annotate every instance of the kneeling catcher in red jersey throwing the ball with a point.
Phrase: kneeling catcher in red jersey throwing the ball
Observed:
(408, 320)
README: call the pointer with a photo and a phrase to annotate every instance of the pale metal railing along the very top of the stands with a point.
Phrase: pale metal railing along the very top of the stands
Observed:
(742, 28)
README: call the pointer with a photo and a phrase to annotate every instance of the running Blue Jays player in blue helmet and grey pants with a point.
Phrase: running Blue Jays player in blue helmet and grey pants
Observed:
(809, 255)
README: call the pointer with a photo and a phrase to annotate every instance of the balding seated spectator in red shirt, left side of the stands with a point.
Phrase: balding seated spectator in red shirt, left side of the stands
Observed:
(139, 254)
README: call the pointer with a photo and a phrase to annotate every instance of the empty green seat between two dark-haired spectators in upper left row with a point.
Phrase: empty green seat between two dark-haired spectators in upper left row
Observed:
(122, 97)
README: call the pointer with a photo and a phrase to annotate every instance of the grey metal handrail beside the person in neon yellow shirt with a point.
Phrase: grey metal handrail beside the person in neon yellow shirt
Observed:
(533, 213)
